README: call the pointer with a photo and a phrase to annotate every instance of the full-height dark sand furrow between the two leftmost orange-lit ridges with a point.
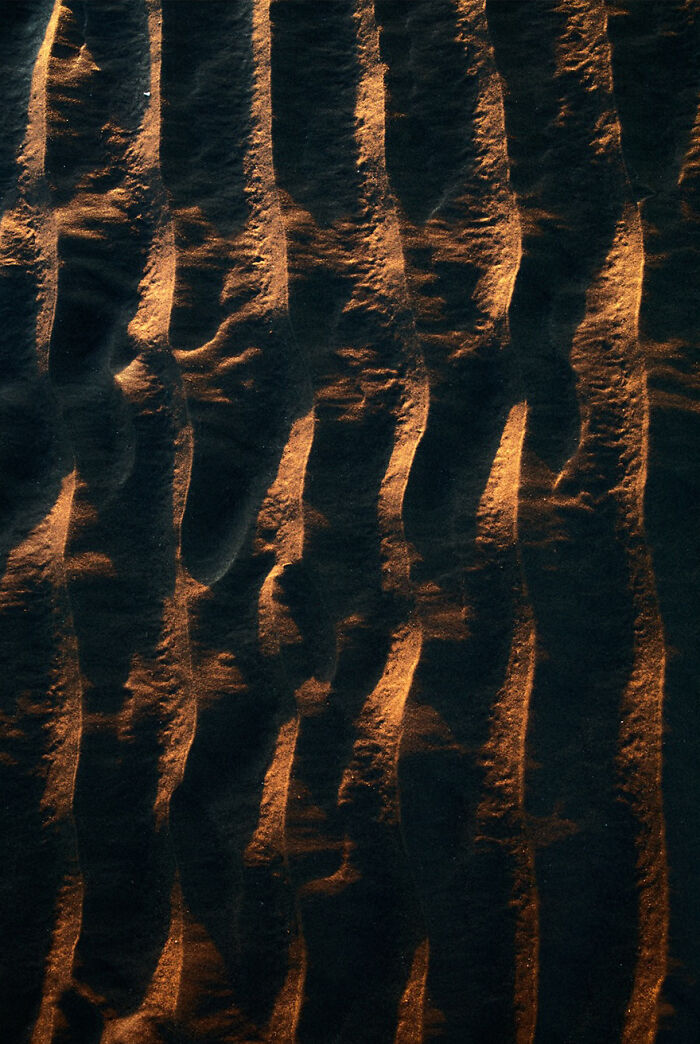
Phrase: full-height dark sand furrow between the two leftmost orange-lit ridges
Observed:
(122, 372)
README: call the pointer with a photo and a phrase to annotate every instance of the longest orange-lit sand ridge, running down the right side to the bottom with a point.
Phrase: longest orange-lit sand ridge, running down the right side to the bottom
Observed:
(642, 699)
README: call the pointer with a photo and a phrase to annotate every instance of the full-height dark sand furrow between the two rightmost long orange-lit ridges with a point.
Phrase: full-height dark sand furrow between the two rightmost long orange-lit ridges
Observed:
(572, 500)
